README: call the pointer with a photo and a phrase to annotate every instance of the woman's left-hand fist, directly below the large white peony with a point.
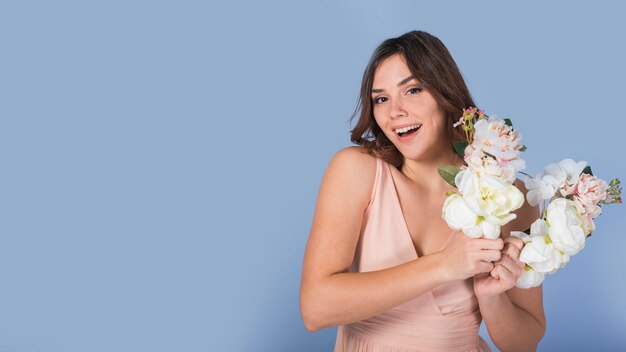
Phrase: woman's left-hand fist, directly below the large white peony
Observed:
(465, 256)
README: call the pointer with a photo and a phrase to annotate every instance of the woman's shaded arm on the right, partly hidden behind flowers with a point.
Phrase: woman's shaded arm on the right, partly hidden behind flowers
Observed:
(514, 318)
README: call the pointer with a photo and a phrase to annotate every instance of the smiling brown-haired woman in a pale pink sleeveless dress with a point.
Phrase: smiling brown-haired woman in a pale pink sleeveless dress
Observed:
(380, 262)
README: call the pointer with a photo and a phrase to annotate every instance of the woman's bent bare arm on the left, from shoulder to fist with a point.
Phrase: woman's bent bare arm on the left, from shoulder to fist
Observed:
(332, 296)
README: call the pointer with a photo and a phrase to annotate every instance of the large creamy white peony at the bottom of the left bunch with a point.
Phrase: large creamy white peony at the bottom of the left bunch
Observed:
(484, 205)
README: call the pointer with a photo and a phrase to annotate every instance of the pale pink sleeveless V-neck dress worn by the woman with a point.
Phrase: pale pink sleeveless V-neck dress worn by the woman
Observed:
(445, 318)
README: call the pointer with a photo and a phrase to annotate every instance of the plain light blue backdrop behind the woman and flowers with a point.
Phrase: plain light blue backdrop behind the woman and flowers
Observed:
(160, 161)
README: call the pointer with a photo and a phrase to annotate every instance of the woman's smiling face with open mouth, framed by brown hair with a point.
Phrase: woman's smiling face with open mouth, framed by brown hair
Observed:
(400, 102)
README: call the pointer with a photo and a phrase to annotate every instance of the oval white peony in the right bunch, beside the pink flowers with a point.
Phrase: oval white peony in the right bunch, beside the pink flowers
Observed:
(565, 226)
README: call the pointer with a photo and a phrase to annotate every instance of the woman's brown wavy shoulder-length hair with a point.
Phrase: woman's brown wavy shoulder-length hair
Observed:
(431, 63)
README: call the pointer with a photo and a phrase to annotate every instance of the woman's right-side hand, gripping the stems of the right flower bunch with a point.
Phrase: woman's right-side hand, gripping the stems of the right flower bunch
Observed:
(505, 272)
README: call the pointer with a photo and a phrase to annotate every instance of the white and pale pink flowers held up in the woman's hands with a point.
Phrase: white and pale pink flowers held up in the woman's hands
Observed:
(486, 196)
